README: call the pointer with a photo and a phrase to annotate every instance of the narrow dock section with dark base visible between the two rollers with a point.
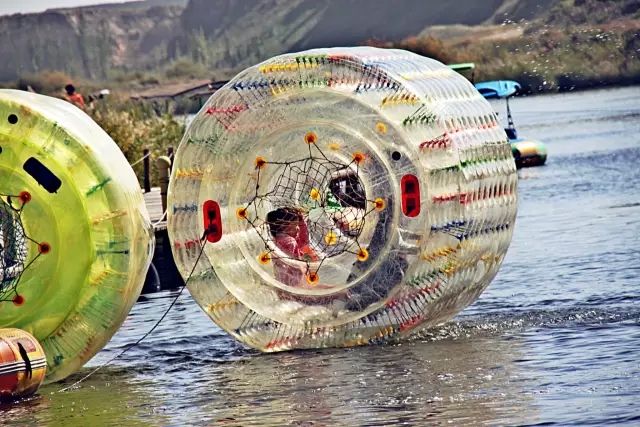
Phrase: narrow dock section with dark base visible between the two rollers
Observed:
(163, 261)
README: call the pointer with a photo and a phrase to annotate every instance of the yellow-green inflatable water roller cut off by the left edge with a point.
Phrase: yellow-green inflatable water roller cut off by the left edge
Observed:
(76, 237)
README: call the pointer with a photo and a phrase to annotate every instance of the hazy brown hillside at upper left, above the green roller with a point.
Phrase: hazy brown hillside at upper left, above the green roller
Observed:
(89, 42)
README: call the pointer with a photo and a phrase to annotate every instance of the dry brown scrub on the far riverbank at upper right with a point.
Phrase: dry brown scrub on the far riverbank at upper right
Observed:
(544, 59)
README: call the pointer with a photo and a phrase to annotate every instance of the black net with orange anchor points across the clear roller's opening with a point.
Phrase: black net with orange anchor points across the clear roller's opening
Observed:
(316, 208)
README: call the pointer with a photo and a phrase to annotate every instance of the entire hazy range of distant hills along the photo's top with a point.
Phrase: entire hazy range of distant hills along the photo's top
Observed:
(101, 41)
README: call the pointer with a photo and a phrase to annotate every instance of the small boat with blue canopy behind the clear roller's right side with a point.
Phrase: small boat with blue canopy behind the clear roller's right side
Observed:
(527, 152)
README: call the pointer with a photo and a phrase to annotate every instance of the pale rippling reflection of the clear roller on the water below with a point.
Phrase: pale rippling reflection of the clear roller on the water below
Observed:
(453, 380)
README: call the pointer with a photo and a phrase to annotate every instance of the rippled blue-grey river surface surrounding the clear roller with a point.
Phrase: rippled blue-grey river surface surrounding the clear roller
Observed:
(553, 341)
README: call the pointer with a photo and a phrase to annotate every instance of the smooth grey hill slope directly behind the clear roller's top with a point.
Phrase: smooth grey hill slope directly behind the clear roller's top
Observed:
(241, 33)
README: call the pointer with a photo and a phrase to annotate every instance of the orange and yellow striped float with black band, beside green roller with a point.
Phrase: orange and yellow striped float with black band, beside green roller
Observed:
(23, 364)
